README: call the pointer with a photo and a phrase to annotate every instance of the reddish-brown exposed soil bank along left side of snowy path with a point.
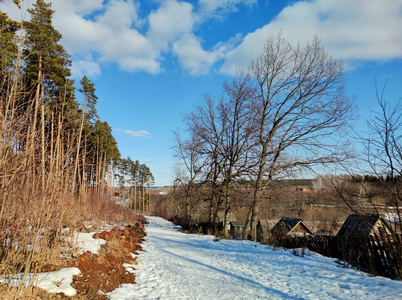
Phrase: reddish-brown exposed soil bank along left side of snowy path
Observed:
(100, 273)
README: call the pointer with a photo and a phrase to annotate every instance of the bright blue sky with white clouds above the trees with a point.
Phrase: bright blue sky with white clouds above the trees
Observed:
(152, 60)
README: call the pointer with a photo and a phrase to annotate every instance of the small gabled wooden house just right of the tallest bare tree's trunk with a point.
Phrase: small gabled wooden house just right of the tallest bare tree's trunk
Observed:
(290, 227)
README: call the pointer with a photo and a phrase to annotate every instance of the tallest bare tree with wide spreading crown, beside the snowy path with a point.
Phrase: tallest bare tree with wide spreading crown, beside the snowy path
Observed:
(302, 105)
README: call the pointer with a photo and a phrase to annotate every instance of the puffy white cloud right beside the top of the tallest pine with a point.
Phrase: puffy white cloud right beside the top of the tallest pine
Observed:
(110, 35)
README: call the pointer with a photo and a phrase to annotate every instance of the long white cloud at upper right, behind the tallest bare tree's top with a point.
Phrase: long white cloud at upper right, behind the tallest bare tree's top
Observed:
(351, 30)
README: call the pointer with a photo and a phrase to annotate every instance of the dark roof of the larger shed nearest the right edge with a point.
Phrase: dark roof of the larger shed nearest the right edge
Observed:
(362, 226)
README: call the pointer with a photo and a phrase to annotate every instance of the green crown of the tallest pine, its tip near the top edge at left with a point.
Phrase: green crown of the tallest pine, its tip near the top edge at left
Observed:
(47, 64)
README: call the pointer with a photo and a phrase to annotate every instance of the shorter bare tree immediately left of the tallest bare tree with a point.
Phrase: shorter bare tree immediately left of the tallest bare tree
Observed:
(220, 139)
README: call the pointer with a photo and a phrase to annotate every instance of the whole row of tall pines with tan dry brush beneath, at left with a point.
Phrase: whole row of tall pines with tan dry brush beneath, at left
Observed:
(58, 159)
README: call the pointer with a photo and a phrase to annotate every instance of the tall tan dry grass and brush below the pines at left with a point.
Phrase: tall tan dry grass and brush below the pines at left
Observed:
(41, 192)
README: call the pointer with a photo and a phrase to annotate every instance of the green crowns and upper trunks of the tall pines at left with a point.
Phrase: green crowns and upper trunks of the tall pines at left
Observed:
(42, 77)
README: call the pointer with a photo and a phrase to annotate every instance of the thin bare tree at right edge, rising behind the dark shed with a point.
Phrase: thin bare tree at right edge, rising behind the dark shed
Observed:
(381, 161)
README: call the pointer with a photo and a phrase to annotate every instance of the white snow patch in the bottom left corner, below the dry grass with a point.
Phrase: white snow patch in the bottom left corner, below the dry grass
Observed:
(53, 282)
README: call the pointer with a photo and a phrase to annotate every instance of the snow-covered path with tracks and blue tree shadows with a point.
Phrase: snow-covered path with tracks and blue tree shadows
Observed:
(183, 266)
